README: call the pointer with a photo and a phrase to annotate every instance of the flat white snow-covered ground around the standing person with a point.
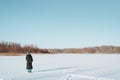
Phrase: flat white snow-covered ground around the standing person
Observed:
(62, 67)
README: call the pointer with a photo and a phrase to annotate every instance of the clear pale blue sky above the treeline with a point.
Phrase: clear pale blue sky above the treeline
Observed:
(60, 23)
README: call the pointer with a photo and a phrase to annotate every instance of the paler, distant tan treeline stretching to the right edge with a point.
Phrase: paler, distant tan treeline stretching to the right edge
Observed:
(101, 49)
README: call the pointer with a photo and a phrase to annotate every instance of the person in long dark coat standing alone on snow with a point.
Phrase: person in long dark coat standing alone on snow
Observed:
(29, 60)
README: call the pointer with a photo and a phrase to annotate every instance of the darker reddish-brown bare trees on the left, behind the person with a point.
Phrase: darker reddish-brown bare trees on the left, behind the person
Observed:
(11, 47)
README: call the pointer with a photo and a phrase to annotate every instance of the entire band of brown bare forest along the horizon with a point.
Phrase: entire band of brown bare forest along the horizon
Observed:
(12, 47)
